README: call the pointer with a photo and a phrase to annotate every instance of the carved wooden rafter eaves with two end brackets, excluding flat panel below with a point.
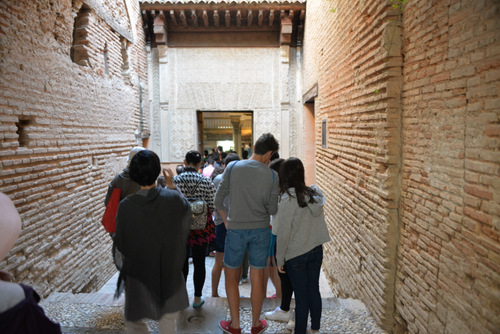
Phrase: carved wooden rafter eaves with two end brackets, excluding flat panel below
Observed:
(283, 18)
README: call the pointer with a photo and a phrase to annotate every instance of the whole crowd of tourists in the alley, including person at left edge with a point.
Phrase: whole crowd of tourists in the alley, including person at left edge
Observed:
(256, 210)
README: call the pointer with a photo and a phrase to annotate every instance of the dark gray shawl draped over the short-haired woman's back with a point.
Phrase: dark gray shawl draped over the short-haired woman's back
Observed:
(151, 234)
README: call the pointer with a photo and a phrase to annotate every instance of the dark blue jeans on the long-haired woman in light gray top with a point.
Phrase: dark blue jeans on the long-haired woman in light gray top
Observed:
(304, 271)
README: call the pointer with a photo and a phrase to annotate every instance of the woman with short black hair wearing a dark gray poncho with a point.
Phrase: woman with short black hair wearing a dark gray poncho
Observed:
(151, 232)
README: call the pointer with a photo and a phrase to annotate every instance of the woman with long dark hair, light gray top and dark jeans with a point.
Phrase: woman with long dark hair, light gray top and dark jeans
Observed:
(301, 231)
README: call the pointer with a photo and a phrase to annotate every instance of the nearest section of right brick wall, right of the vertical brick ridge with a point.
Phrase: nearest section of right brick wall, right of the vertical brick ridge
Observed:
(449, 251)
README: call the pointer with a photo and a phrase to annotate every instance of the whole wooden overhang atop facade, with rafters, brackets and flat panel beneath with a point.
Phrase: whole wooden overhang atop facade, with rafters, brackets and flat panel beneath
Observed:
(223, 24)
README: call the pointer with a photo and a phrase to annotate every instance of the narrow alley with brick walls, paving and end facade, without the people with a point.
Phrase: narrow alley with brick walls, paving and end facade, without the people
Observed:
(393, 106)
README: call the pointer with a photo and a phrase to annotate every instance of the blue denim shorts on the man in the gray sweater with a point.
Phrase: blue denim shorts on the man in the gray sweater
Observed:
(257, 242)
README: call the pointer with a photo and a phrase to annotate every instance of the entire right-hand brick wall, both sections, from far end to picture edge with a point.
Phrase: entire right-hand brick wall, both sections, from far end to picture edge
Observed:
(411, 165)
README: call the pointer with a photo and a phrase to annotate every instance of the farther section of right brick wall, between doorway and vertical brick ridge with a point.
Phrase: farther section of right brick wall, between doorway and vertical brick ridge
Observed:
(359, 167)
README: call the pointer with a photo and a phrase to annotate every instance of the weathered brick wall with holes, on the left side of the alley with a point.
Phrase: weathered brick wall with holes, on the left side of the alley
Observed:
(65, 131)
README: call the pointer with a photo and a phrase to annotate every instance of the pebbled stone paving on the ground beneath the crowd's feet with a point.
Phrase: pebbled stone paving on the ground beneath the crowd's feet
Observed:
(99, 313)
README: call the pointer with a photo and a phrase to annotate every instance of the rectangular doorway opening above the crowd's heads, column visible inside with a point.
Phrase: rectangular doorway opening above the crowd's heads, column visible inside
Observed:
(233, 130)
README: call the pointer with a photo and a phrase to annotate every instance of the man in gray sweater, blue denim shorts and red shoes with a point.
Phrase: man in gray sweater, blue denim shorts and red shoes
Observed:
(253, 190)
